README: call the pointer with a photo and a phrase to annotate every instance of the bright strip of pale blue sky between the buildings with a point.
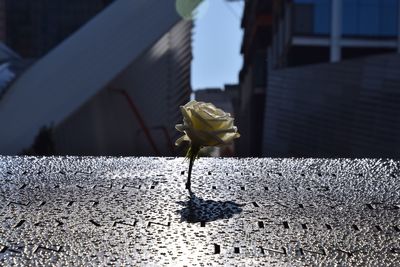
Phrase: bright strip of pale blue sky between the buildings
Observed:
(217, 37)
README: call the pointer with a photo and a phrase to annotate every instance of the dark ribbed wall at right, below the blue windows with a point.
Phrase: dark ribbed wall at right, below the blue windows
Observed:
(346, 109)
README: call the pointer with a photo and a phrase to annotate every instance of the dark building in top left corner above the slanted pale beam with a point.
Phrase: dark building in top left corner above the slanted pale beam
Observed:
(32, 28)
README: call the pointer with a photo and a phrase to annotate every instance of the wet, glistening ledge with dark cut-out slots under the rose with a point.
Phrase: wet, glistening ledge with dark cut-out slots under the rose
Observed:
(245, 212)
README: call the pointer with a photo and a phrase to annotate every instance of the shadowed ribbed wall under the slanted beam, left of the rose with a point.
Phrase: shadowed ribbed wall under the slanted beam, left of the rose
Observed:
(158, 82)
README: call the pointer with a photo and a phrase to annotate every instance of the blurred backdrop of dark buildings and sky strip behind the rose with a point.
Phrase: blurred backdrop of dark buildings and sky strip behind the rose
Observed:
(303, 78)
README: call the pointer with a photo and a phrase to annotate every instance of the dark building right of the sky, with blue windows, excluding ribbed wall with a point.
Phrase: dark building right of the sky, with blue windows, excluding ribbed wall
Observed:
(287, 33)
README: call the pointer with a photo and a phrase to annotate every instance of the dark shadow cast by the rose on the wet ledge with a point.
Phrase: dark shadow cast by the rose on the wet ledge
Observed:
(199, 210)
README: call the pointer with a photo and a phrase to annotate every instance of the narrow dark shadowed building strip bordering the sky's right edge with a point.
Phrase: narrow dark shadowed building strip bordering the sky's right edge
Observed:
(257, 23)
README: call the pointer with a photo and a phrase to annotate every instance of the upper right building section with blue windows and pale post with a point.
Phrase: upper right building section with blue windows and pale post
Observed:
(317, 31)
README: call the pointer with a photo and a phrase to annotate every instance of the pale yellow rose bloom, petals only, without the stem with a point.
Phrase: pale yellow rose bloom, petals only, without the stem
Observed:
(206, 125)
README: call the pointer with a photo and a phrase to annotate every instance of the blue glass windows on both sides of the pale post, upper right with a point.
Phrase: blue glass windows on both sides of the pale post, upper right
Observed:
(369, 18)
